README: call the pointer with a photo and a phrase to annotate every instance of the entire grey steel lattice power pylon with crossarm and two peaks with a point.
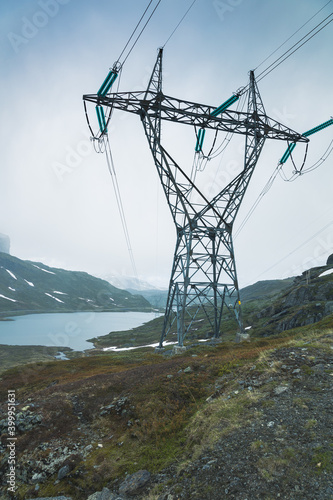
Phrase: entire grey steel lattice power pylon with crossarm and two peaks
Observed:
(203, 275)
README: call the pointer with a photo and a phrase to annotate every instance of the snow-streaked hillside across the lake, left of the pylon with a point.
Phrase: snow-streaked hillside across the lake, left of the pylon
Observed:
(27, 287)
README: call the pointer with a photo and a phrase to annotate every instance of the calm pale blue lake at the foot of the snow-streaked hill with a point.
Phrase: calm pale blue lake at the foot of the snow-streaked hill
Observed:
(68, 329)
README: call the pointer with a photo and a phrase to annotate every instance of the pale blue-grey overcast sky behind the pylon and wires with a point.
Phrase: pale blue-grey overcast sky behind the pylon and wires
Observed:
(56, 197)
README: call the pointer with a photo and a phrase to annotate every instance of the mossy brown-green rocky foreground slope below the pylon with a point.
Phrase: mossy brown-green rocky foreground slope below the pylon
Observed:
(237, 421)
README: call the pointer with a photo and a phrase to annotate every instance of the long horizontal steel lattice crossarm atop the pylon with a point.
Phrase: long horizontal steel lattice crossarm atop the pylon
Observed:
(195, 114)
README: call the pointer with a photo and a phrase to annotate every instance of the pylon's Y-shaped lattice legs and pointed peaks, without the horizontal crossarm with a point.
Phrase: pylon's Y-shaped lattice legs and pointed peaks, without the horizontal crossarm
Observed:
(203, 277)
